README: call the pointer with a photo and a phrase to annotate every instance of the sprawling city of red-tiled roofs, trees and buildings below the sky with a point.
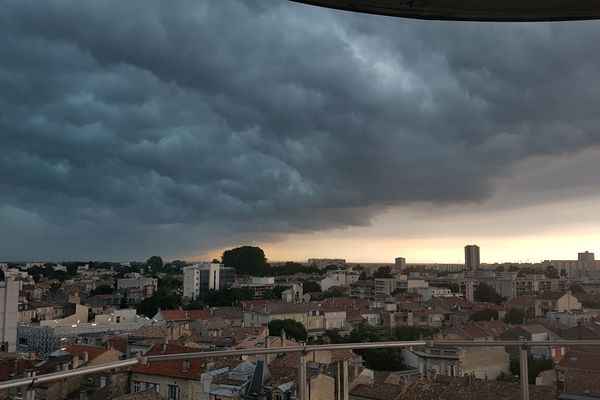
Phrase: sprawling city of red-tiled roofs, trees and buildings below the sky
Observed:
(72, 315)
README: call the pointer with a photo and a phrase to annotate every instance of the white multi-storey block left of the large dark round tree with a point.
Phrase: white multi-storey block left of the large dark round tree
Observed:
(200, 278)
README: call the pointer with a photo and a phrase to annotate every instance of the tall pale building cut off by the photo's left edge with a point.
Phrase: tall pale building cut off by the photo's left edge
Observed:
(9, 314)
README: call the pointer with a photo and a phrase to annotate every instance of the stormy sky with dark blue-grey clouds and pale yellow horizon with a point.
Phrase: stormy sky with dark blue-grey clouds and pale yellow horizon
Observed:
(180, 129)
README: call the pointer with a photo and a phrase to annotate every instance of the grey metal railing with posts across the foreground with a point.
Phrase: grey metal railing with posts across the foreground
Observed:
(524, 345)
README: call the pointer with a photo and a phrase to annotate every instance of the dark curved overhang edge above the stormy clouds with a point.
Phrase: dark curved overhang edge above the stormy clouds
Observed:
(472, 10)
